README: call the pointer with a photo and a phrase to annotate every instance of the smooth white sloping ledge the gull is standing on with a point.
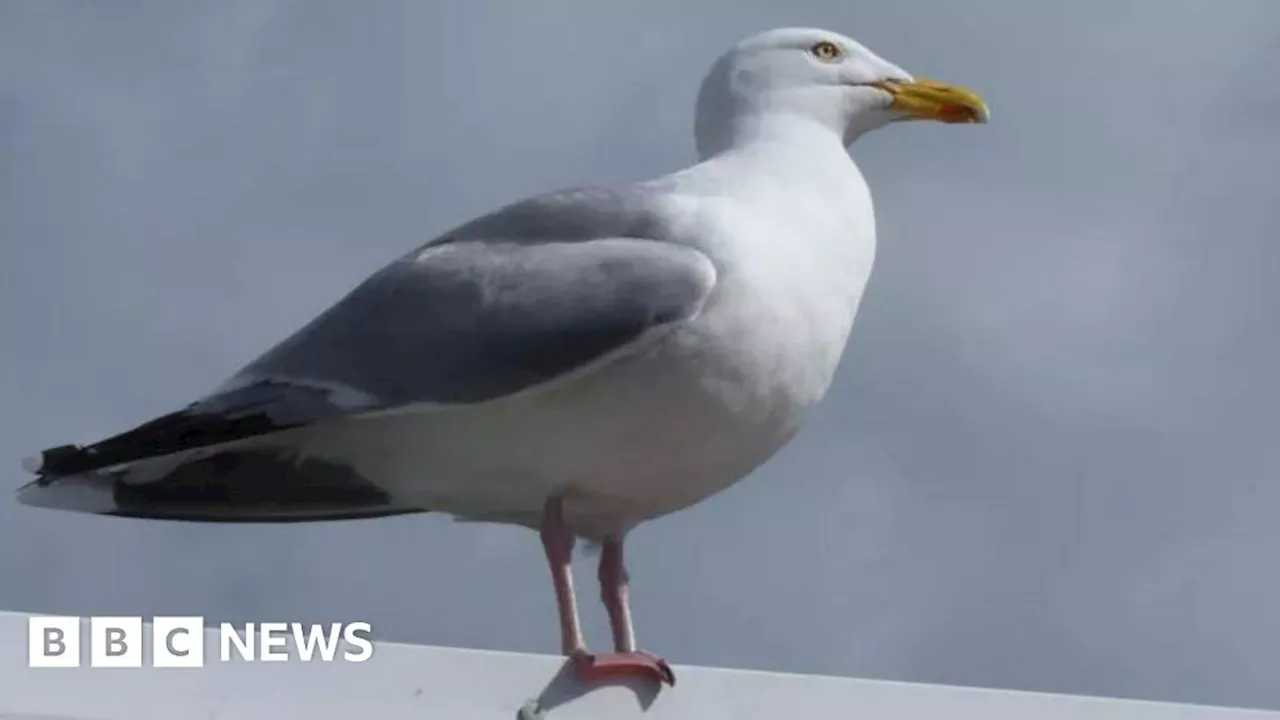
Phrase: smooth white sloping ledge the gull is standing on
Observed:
(427, 683)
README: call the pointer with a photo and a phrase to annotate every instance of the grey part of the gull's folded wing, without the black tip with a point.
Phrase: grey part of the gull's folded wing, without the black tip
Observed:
(473, 321)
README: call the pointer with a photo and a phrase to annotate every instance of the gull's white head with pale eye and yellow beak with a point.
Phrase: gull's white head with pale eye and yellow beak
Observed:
(804, 76)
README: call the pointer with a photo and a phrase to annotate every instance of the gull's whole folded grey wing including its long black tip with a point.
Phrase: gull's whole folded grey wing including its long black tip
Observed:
(458, 322)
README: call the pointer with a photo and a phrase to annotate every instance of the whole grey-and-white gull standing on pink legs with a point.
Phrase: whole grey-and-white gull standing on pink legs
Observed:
(575, 363)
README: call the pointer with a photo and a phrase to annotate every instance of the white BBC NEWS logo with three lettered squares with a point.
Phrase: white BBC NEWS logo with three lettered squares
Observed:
(180, 642)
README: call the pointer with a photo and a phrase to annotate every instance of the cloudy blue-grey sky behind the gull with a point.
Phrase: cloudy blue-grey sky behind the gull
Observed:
(1050, 461)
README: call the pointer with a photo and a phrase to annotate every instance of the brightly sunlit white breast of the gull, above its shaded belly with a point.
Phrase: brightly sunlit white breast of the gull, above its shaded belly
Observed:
(794, 249)
